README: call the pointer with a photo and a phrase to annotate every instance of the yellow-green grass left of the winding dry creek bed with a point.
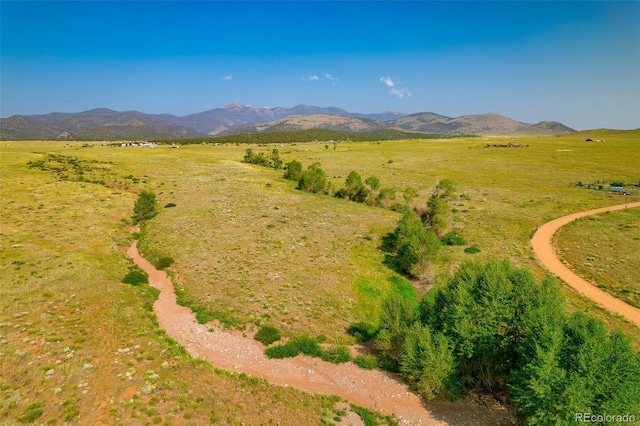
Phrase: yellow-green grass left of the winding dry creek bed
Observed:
(79, 346)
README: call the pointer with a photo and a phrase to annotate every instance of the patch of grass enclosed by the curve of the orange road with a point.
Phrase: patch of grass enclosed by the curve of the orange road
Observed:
(604, 249)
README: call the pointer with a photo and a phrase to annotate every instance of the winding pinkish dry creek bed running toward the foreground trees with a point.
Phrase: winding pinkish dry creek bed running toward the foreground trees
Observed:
(376, 390)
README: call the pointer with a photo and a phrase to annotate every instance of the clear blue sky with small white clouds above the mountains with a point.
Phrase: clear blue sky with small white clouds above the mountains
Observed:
(574, 62)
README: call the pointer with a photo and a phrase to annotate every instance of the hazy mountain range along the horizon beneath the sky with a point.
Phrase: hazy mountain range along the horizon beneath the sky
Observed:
(107, 124)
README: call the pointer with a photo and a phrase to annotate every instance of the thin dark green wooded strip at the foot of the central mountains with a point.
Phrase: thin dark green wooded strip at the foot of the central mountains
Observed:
(310, 135)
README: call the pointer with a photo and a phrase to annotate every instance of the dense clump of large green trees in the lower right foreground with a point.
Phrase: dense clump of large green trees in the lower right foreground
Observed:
(494, 328)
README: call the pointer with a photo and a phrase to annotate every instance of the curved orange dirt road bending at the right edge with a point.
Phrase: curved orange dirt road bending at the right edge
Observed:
(542, 243)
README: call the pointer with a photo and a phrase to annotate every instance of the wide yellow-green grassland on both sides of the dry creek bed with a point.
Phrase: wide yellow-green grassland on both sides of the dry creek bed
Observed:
(79, 345)
